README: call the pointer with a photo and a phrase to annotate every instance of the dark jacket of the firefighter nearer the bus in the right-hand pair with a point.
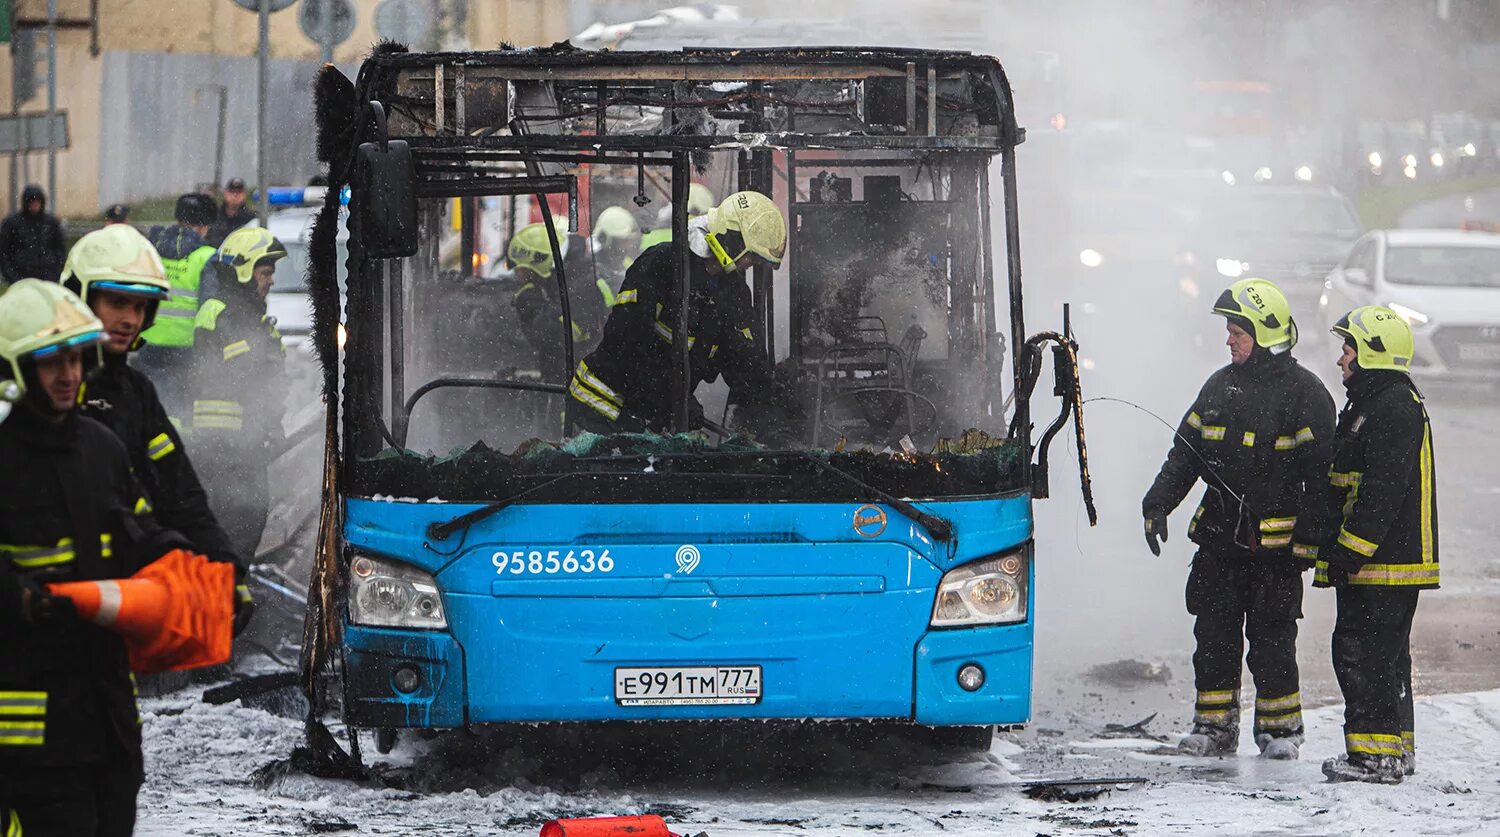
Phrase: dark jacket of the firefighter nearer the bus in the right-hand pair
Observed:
(1261, 437)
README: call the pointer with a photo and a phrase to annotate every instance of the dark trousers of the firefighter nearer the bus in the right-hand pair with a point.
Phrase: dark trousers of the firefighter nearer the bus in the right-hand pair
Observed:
(1237, 598)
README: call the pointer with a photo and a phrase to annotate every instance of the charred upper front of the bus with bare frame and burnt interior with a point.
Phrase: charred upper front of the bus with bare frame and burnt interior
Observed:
(887, 329)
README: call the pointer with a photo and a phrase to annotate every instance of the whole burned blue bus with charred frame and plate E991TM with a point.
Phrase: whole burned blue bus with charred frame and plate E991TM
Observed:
(481, 562)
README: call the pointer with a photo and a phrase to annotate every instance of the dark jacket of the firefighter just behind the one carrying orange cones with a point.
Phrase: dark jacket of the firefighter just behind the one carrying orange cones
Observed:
(125, 401)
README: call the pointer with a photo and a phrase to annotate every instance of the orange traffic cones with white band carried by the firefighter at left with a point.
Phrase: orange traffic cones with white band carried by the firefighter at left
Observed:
(176, 614)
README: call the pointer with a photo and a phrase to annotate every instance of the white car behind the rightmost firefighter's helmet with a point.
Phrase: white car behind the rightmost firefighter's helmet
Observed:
(1444, 283)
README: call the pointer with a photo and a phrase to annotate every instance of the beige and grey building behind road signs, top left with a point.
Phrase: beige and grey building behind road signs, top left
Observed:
(161, 95)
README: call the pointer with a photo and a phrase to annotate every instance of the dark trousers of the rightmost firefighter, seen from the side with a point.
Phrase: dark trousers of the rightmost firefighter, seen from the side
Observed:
(1373, 664)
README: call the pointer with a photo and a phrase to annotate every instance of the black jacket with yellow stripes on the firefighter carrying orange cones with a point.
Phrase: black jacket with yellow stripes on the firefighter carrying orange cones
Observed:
(70, 511)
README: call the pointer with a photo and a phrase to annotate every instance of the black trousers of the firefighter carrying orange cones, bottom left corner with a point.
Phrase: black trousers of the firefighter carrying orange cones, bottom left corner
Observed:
(74, 802)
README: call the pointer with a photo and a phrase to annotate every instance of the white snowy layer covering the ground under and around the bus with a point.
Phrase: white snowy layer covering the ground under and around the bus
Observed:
(200, 761)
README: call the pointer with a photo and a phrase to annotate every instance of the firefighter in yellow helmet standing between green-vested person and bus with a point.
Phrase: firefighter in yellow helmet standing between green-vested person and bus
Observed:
(239, 386)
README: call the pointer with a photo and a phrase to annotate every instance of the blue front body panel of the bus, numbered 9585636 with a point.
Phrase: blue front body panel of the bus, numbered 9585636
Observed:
(839, 622)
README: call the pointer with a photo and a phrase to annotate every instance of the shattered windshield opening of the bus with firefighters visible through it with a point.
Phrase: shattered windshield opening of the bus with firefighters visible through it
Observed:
(874, 343)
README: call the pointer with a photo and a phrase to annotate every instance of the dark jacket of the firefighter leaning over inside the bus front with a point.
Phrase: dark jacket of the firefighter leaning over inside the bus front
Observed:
(631, 371)
